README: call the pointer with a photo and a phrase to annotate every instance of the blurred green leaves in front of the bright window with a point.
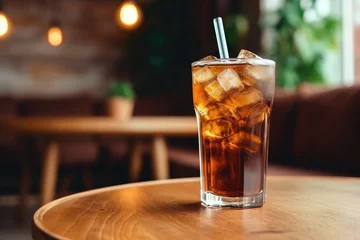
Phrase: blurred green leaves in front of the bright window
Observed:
(299, 46)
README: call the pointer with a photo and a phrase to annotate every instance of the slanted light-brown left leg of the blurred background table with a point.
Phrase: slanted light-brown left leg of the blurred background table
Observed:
(49, 173)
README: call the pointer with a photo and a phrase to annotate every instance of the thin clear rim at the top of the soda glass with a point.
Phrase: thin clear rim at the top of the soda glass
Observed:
(233, 61)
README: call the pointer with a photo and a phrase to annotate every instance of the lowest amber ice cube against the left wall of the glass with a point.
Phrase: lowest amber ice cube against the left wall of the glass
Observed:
(219, 128)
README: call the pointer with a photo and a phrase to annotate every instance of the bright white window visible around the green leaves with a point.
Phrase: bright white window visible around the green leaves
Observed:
(339, 64)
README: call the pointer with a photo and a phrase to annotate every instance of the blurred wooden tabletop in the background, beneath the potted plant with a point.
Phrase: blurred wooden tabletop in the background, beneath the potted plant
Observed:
(174, 126)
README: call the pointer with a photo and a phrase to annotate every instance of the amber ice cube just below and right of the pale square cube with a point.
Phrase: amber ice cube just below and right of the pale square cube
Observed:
(243, 98)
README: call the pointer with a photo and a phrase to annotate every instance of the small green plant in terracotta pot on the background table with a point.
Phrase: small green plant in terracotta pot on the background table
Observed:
(121, 100)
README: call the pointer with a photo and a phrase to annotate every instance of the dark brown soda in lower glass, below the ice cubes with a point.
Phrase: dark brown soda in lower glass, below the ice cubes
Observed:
(235, 171)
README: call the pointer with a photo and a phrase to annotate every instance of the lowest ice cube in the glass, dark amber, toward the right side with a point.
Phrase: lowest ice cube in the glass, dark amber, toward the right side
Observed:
(246, 141)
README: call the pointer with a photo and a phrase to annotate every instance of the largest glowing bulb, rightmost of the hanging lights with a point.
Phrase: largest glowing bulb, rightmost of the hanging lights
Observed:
(128, 15)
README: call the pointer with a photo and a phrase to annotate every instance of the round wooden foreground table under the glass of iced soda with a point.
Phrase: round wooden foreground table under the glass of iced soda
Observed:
(296, 208)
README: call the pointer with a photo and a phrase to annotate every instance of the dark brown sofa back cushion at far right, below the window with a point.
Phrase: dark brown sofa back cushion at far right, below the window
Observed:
(327, 130)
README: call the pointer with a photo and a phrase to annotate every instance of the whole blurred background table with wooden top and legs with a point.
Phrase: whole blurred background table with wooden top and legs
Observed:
(156, 128)
